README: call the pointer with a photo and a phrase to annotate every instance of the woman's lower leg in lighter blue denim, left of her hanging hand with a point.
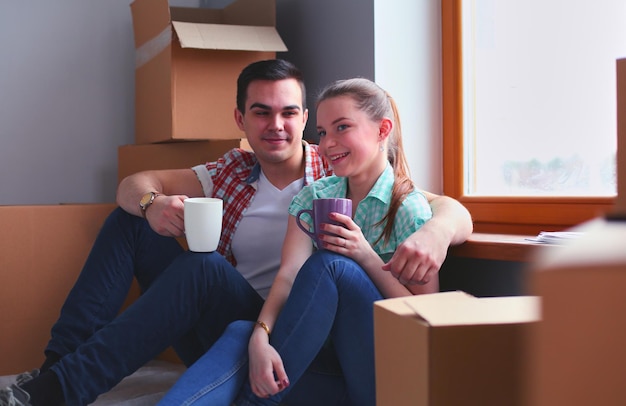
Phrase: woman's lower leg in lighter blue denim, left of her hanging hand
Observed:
(216, 378)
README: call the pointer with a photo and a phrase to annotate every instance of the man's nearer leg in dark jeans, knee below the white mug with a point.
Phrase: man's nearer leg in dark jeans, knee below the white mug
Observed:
(200, 292)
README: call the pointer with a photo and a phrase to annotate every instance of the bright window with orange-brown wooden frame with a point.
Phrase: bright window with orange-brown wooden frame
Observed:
(529, 114)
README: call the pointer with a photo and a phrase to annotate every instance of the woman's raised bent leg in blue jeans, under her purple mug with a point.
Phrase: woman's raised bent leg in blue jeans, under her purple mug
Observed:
(310, 315)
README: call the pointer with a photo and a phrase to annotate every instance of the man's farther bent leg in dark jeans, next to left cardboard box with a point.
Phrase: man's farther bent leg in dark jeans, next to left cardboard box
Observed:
(126, 246)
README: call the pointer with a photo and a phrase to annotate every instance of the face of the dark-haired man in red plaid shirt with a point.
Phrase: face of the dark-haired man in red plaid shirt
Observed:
(274, 120)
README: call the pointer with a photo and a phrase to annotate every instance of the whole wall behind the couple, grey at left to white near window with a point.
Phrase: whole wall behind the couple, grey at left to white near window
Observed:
(67, 84)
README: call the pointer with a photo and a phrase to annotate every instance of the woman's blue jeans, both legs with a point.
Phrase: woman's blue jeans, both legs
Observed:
(332, 298)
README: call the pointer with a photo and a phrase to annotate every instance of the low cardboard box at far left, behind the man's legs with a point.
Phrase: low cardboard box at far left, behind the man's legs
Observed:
(42, 251)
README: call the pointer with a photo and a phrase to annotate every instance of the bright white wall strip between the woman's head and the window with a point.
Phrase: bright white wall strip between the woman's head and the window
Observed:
(408, 66)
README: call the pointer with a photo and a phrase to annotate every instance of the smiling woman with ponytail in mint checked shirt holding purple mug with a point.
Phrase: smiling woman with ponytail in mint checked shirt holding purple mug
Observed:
(322, 300)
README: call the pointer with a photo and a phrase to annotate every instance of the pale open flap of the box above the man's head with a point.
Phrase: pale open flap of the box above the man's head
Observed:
(228, 37)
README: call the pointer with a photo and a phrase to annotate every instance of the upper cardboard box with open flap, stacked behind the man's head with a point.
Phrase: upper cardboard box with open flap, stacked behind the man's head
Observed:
(187, 64)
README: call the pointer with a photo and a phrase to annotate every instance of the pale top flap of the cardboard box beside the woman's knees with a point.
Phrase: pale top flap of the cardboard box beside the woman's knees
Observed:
(449, 311)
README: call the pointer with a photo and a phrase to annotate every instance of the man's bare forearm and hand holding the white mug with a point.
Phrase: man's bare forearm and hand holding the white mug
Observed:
(165, 214)
